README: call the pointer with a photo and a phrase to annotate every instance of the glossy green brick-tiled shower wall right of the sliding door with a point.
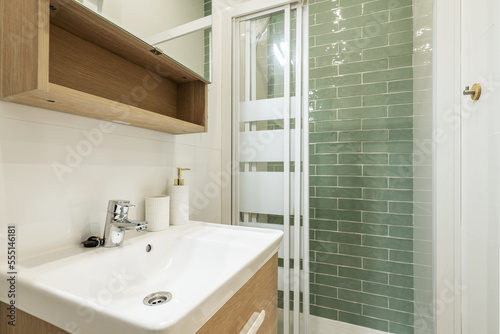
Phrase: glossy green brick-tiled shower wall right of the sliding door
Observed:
(361, 95)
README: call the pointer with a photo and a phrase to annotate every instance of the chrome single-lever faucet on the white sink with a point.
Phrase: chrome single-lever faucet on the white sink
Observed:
(117, 222)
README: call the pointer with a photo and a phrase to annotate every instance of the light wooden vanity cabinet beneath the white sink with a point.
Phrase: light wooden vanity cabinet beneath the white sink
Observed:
(260, 293)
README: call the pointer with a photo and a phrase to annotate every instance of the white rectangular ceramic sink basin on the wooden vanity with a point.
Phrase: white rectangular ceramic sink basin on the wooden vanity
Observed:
(102, 290)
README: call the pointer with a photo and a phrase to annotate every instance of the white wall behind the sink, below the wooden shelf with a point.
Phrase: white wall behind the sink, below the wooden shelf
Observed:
(54, 208)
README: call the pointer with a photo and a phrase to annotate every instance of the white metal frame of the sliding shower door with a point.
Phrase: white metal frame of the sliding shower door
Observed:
(301, 152)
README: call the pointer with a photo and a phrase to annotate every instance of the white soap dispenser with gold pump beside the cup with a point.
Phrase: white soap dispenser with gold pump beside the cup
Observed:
(179, 200)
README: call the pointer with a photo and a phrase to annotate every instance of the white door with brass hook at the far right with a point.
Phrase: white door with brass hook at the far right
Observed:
(480, 167)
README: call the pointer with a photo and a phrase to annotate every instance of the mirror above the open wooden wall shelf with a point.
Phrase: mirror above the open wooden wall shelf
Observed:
(152, 20)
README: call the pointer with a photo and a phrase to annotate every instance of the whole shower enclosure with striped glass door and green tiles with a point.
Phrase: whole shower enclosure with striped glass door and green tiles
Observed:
(332, 143)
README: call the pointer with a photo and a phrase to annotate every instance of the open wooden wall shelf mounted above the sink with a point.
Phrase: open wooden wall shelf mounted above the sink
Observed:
(60, 55)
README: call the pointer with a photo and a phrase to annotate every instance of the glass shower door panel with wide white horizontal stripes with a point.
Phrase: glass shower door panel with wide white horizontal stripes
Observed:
(266, 144)
